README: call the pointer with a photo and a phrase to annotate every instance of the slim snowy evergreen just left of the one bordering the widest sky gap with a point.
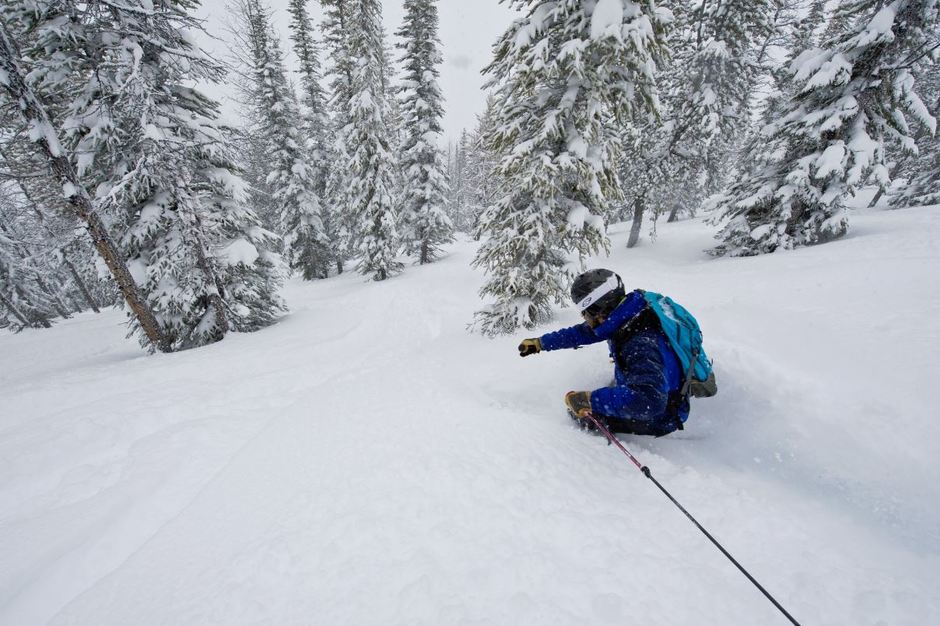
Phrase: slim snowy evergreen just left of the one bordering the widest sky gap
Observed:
(371, 165)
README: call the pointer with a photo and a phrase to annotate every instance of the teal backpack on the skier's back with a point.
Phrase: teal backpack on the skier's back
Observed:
(685, 337)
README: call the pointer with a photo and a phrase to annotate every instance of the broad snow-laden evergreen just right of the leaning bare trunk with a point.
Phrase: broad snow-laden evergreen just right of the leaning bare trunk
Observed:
(198, 250)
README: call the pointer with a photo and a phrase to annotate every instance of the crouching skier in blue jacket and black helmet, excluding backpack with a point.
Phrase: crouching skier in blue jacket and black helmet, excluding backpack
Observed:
(645, 397)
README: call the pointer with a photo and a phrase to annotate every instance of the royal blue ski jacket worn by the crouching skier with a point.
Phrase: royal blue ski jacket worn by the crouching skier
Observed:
(651, 372)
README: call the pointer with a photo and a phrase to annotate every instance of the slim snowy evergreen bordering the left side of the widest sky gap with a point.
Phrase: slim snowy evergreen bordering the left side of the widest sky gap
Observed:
(425, 225)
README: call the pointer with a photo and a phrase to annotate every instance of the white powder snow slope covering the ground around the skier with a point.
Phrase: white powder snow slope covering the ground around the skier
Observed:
(368, 461)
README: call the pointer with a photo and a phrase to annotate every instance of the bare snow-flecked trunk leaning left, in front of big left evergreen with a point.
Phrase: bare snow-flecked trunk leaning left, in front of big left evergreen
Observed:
(34, 113)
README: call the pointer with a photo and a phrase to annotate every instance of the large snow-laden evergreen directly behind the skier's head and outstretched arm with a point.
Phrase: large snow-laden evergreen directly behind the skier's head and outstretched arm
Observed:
(565, 76)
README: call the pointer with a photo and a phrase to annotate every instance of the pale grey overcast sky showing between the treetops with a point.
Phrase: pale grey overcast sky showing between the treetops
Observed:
(468, 30)
